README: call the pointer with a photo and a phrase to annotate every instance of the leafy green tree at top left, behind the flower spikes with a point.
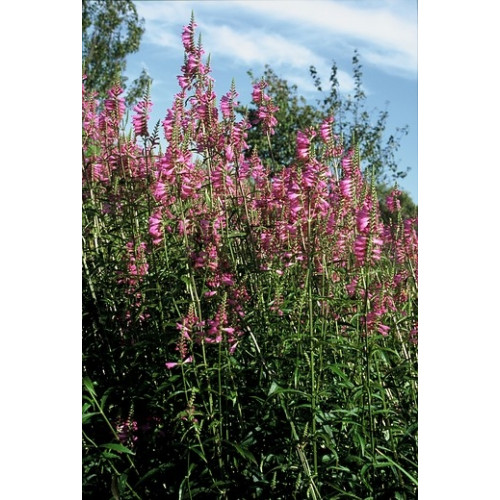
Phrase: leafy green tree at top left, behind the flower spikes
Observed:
(111, 29)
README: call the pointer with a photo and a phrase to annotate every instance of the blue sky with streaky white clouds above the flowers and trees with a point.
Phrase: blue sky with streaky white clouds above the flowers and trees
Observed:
(290, 36)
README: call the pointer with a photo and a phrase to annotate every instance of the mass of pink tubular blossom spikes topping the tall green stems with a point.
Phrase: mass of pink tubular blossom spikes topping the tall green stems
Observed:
(208, 194)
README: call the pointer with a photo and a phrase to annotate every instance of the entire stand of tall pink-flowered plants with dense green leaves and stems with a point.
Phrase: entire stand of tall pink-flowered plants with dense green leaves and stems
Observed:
(244, 328)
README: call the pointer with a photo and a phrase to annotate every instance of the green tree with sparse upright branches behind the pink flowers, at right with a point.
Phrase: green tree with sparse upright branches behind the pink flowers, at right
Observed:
(353, 122)
